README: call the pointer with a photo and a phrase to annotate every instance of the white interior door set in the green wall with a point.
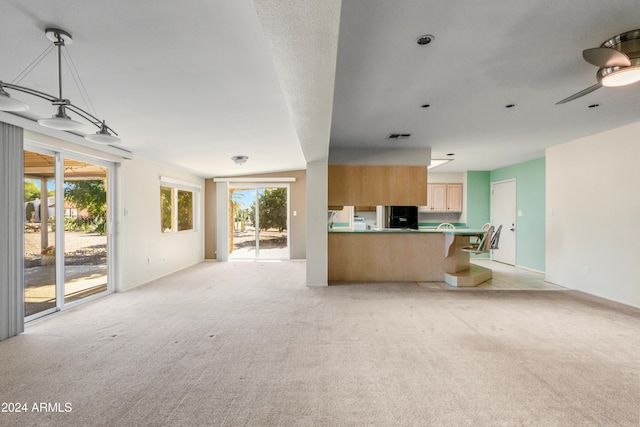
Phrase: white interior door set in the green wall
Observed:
(503, 212)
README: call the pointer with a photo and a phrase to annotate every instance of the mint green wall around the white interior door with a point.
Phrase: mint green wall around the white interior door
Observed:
(530, 199)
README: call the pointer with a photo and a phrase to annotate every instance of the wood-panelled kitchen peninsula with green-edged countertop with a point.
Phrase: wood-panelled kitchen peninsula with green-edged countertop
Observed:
(392, 255)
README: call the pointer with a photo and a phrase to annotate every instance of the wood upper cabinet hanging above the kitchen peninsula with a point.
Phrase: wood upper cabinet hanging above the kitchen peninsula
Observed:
(364, 185)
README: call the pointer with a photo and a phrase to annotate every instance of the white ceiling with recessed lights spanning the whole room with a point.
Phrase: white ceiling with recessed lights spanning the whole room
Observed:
(194, 83)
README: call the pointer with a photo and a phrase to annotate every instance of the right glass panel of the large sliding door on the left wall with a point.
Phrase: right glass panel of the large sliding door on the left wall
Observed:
(85, 229)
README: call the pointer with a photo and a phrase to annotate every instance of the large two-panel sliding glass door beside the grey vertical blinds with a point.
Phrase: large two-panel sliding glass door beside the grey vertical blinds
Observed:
(67, 229)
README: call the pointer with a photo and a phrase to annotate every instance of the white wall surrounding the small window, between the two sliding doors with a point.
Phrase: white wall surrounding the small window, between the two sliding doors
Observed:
(138, 225)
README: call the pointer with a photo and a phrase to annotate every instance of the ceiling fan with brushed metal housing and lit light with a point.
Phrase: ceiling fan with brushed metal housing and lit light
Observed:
(618, 59)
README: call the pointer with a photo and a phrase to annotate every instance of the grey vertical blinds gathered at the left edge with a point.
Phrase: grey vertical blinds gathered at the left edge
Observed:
(11, 231)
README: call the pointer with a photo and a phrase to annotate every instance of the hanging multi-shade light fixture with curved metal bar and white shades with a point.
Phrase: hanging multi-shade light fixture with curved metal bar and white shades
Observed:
(59, 120)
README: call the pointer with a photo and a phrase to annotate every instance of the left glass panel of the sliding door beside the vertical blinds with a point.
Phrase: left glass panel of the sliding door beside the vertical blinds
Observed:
(39, 234)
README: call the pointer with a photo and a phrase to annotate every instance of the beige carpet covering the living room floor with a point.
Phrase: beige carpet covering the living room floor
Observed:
(245, 343)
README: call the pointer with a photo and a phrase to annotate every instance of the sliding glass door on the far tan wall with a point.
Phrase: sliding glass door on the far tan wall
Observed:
(259, 222)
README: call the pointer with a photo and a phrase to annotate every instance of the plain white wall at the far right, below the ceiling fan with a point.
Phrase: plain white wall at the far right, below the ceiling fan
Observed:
(593, 214)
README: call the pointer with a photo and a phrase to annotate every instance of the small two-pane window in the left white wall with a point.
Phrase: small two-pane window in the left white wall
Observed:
(177, 206)
